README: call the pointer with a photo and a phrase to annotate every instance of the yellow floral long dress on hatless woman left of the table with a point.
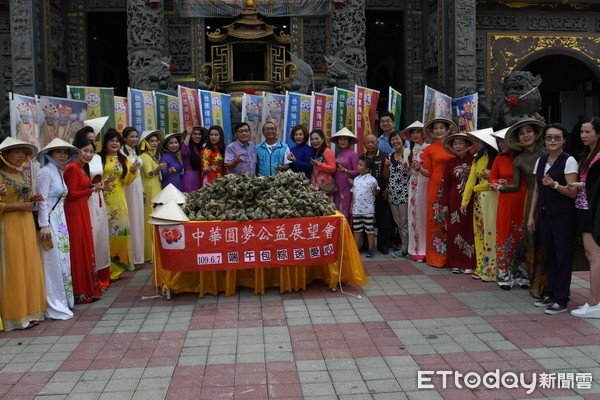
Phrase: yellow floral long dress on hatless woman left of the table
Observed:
(121, 247)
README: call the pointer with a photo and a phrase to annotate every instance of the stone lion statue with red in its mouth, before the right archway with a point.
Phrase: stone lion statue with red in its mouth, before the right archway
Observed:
(520, 99)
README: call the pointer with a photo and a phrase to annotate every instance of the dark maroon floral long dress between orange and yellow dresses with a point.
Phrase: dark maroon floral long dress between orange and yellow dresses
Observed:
(460, 242)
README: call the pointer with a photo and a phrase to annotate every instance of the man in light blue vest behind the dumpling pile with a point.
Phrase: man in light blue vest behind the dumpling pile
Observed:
(272, 154)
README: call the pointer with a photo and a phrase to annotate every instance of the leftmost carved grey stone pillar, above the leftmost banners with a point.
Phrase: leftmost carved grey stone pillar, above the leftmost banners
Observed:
(24, 17)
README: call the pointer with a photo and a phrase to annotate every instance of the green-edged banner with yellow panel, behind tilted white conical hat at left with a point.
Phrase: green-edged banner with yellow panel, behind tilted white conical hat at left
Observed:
(100, 102)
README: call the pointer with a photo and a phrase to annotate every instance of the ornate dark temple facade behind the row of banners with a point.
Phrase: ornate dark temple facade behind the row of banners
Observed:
(455, 46)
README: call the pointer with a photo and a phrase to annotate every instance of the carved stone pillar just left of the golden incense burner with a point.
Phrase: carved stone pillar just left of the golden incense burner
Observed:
(145, 43)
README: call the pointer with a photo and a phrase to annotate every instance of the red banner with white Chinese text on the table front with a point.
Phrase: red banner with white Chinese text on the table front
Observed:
(224, 245)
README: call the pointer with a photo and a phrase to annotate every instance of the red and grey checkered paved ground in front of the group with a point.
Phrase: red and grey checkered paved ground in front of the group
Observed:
(313, 344)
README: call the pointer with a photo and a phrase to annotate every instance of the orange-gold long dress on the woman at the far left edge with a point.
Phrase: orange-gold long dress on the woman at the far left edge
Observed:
(22, 297)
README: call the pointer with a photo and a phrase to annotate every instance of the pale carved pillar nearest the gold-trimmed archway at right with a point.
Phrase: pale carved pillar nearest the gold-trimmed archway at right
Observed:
(462, 56)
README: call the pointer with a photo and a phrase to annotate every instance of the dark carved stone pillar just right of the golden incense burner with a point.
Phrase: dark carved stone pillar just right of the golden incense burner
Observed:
(348, 29)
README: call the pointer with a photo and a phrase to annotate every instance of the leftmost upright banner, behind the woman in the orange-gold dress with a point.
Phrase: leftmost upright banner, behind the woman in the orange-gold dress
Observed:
(24, 119)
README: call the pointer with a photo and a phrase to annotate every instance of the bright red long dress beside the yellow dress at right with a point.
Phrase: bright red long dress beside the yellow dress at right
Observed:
(509, 222)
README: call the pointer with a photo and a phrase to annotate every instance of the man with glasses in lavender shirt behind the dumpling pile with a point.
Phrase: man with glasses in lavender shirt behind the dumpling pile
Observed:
(240, 155)
